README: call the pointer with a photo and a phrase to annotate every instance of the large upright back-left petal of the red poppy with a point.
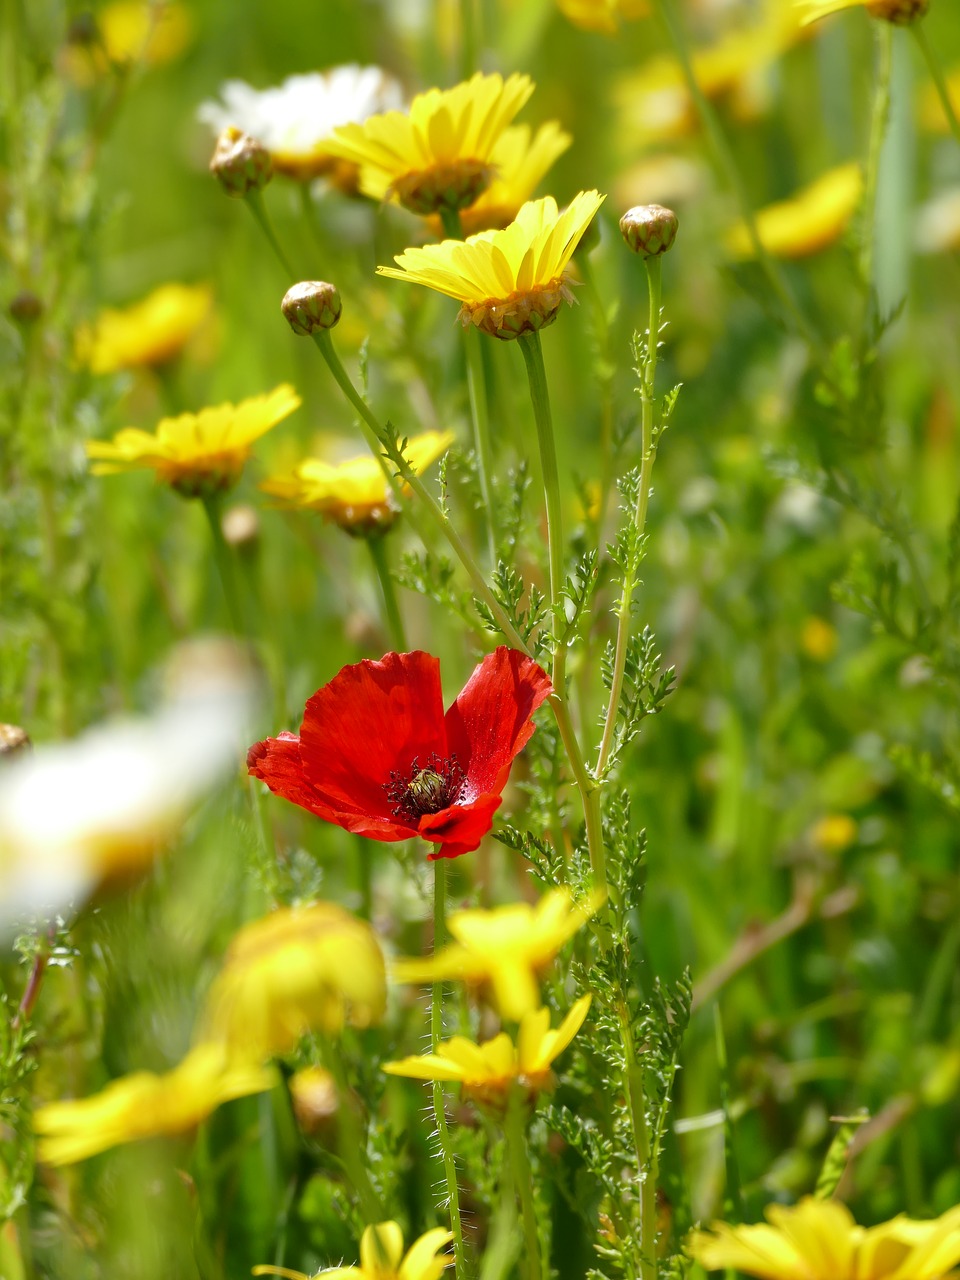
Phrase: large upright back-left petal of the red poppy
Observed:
(372, 720)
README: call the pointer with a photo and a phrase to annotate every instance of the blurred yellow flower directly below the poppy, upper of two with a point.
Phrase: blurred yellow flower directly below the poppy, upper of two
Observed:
(505, 950)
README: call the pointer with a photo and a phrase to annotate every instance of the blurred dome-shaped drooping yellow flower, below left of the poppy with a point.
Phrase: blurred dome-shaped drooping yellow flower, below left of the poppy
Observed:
(298, 970)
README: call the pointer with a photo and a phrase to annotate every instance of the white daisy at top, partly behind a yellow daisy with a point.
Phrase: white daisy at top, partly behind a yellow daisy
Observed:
(295, 120)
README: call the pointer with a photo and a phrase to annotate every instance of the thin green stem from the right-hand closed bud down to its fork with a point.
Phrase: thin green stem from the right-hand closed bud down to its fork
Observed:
(648, 454)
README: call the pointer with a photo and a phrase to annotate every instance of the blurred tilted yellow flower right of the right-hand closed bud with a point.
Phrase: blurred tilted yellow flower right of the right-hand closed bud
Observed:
(807, 223)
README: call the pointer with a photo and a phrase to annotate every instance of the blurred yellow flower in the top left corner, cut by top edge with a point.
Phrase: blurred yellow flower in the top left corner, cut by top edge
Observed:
(129, 31)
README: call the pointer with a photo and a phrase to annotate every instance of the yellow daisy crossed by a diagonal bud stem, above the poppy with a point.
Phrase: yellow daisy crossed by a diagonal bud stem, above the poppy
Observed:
(354, 493)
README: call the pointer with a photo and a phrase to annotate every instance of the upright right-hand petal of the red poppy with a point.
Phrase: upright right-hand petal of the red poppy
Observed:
(490, 723)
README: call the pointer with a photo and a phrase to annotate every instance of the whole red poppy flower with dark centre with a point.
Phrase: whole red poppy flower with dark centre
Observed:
(378, 756)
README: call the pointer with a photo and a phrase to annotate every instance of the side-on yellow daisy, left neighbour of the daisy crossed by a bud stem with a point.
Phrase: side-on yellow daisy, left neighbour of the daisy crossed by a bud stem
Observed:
(196, 454)
